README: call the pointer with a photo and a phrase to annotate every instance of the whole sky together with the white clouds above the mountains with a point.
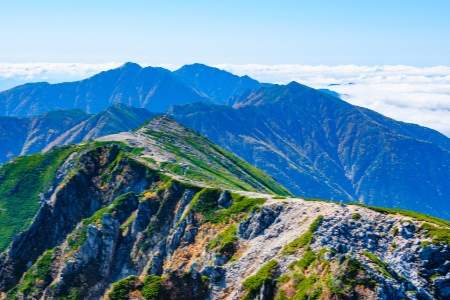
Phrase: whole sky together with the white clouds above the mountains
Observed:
(395, 54)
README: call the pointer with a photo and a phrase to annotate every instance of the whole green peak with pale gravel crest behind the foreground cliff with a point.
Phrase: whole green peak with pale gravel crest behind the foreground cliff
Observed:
(191, 157)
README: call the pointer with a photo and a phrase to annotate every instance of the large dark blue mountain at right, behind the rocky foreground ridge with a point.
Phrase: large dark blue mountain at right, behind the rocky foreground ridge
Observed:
(317, 145)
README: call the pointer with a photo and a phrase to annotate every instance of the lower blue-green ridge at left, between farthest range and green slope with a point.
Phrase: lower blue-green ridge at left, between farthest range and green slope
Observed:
(20, 136)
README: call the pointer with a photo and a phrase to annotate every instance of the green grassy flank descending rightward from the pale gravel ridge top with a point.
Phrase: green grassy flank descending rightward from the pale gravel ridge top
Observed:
(212, 164)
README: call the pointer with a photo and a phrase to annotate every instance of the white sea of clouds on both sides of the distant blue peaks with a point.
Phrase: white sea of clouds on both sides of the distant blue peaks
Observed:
(419, 95)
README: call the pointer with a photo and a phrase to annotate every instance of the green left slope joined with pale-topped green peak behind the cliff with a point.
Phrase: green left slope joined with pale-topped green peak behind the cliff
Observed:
(161, 144)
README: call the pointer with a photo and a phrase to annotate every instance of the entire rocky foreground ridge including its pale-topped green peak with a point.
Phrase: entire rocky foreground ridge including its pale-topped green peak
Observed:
(121, 221)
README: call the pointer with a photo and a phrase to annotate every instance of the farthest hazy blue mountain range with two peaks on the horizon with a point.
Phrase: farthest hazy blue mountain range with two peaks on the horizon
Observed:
(155, 89)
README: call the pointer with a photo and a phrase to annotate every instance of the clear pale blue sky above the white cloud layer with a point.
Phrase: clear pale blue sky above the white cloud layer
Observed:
(413, 32)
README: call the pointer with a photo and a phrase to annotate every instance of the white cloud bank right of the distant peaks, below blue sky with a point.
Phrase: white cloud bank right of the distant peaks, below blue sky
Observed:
(411, 94)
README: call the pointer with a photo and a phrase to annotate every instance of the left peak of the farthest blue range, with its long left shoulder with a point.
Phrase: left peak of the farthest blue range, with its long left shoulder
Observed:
(129, 84)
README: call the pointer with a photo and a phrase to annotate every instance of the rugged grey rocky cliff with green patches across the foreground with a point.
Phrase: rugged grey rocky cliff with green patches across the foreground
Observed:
(166, 237)
